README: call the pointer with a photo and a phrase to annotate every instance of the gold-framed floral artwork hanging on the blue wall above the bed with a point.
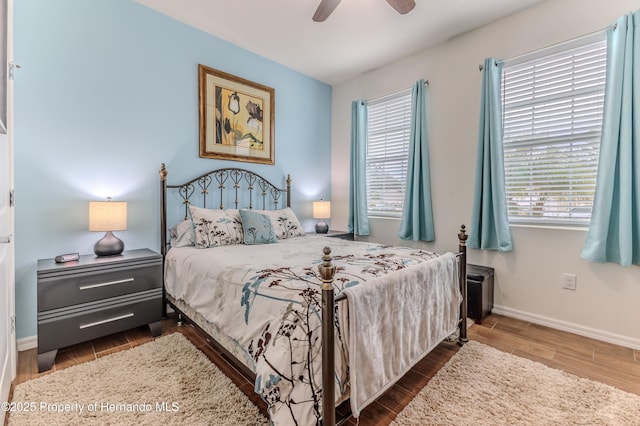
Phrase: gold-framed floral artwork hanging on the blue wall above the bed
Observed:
(236, 118)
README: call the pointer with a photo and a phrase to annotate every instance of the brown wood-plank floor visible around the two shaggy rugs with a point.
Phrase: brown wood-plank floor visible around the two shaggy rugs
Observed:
(584, 357)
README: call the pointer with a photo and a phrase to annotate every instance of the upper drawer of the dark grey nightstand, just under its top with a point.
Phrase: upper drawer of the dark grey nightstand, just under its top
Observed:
(56, 291)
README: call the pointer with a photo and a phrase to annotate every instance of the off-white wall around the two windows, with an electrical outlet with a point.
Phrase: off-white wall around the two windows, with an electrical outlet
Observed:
(528, 279)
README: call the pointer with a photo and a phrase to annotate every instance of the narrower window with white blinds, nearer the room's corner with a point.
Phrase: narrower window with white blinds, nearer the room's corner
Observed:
(389, 127)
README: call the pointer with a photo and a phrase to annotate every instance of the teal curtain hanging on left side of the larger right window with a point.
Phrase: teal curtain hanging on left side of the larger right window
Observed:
(489, 228)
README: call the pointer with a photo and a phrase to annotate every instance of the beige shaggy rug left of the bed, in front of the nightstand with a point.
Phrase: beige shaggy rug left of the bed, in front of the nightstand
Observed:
(167, 381)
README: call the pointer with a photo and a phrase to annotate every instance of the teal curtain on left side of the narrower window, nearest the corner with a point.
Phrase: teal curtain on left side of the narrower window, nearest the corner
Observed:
(358, 216)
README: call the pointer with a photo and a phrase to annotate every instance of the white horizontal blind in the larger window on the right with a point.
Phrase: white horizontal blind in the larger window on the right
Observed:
(552, 116)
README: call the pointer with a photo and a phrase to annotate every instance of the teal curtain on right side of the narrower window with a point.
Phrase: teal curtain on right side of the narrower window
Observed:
(417, 214)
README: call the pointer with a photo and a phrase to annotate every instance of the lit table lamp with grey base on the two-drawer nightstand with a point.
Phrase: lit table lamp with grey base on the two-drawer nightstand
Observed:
(108, 216)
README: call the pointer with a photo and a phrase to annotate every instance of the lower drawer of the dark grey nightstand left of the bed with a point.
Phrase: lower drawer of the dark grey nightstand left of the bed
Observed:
(67, 326)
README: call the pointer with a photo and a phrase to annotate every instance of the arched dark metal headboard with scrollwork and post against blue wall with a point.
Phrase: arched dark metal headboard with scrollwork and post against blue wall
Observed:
(227, 183)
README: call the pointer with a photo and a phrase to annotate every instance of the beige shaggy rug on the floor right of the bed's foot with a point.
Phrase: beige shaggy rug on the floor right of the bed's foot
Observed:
(484, 386)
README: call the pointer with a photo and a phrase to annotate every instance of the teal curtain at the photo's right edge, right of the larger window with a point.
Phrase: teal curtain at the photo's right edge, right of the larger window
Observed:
(614, 232)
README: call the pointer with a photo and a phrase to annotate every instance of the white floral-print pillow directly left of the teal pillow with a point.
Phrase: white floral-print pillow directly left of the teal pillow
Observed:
(216, 227)
